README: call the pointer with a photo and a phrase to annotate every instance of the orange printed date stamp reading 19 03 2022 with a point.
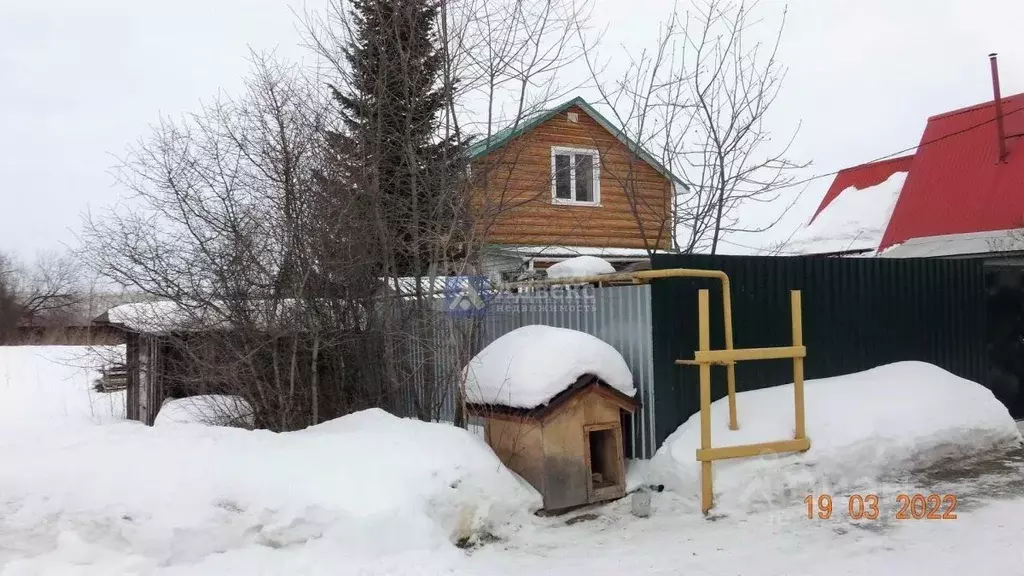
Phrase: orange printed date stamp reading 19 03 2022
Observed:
(868, 507)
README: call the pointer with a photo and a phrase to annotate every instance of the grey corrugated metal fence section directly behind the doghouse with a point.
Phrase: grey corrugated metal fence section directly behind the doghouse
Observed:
(620, 316)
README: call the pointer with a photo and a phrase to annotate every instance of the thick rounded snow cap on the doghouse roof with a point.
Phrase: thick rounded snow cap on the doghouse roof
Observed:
(529, 366)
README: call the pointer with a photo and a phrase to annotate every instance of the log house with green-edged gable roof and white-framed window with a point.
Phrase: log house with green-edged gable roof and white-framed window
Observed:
(566, 183)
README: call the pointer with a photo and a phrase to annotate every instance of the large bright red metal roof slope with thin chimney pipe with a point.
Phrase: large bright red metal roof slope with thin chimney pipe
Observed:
(956, 185)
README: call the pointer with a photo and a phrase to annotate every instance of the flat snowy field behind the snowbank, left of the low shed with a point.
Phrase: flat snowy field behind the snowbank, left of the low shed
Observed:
(47, 387)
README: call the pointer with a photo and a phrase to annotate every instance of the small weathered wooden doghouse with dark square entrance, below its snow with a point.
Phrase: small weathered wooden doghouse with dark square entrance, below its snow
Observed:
(571, 449)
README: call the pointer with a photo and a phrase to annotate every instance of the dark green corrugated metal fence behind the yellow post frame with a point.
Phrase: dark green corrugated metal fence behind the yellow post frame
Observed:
(859, 314)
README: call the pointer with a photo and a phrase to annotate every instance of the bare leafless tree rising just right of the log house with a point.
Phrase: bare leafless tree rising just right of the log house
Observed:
(699, 102)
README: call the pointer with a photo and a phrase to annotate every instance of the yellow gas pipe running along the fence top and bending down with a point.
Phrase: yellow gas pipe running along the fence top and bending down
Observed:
(646, 276)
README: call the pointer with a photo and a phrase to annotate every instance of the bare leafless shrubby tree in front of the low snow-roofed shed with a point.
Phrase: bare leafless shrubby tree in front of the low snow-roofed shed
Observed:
(258, 278)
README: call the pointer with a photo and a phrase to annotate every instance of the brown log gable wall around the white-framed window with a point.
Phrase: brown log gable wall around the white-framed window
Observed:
(513, 197)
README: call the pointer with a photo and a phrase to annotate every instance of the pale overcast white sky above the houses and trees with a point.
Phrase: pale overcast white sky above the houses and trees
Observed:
(79, 81)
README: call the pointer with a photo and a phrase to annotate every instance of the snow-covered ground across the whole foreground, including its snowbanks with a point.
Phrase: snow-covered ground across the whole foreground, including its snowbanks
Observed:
(373, 495)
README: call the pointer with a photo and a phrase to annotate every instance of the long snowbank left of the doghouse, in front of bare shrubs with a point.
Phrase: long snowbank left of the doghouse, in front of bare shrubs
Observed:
(362, 486)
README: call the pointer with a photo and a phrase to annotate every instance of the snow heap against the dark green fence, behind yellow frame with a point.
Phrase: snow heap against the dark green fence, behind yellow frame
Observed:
(863, 427)
